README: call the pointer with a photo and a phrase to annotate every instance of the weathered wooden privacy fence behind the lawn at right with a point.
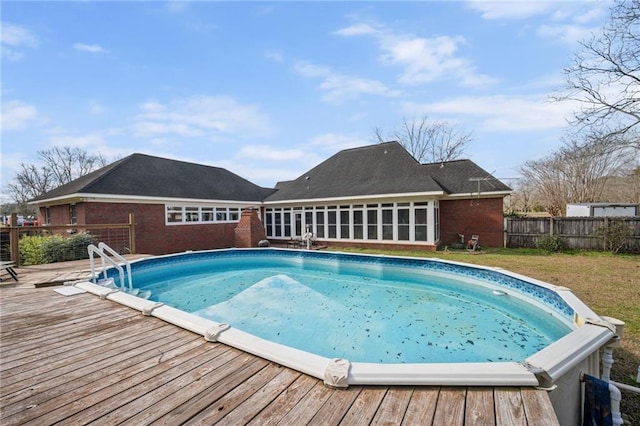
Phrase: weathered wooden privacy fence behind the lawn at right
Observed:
(577, 232)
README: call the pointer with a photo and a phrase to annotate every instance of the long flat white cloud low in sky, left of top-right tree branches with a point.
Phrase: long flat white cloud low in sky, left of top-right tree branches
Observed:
(501, 113)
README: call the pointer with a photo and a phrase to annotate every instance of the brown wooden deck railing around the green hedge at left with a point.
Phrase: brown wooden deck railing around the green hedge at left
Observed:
(120, 237)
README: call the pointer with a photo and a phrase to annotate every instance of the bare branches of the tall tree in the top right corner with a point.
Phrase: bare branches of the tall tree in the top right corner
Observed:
(605, 77)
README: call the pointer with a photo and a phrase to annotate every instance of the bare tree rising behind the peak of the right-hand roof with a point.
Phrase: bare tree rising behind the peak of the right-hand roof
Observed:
(428, 141)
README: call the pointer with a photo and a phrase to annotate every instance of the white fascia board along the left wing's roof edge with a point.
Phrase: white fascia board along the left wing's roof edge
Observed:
(111, 198)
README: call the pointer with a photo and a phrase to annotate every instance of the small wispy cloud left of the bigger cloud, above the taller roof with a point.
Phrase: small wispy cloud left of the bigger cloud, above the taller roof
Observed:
(339, 87)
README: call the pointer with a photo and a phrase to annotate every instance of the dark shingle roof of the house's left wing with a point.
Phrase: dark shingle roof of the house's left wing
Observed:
(148, 176)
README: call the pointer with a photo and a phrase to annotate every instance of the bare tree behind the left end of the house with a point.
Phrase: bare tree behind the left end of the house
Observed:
(60, 165)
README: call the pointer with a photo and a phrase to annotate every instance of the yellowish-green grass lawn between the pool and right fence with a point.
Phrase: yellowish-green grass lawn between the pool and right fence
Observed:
(608, 284)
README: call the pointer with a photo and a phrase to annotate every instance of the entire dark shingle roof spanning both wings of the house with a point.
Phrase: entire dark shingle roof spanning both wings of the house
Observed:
(380, 169)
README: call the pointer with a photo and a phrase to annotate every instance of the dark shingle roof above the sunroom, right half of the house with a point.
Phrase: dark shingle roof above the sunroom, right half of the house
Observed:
(385, 168)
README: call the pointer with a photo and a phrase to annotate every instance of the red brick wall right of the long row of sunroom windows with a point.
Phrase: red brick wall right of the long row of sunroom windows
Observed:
(481, 217)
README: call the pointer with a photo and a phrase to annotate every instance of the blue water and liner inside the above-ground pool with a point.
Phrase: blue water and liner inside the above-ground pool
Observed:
(362, 308)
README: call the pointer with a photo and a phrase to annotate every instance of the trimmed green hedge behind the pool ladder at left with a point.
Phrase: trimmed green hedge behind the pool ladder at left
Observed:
(36, 250)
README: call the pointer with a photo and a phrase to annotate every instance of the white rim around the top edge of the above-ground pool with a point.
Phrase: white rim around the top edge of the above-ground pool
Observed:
(542, 368)
